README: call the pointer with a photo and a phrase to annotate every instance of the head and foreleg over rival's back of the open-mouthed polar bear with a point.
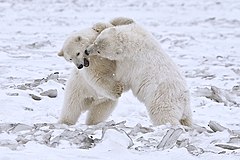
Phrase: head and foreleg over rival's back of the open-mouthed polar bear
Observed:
(74, 47)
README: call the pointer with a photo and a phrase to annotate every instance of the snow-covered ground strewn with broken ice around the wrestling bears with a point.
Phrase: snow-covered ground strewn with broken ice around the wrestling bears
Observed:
(202, 37)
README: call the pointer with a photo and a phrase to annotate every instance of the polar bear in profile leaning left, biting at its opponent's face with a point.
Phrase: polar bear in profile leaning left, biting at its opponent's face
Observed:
(149, 72)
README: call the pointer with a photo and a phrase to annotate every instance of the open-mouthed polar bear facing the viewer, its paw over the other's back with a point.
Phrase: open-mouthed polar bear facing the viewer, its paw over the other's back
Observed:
(91, 86)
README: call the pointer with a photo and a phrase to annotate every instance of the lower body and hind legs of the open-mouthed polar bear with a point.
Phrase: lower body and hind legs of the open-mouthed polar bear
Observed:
(80, 97)
